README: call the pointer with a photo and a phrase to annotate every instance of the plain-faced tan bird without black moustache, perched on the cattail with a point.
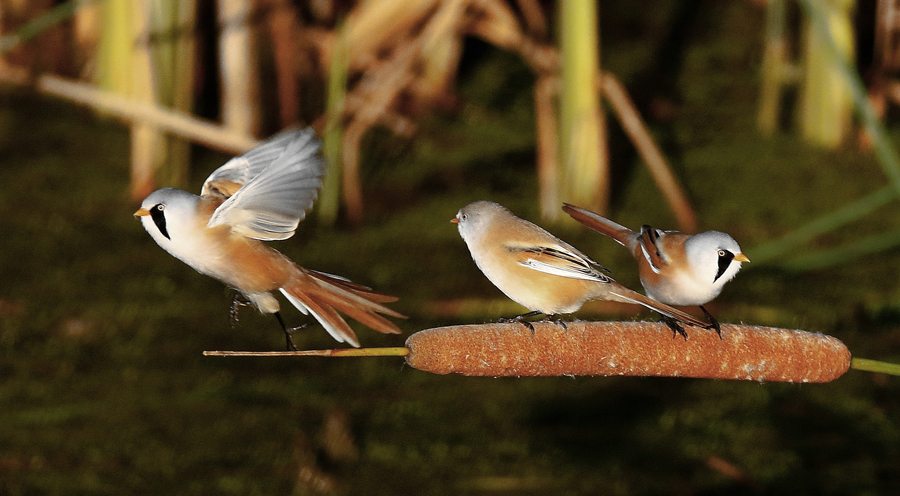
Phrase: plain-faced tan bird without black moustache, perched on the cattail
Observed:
(536, 269)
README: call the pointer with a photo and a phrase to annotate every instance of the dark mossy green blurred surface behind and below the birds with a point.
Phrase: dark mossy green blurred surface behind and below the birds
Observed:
(104, 389)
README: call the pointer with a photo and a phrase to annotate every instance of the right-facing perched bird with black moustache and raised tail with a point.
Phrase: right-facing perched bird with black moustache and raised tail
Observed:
(675, 268)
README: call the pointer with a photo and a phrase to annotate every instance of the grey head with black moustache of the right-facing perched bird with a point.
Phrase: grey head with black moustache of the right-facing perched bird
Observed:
(715, 255)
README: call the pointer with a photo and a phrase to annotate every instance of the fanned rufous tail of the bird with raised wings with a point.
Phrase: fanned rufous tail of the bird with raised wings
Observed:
(324, 295)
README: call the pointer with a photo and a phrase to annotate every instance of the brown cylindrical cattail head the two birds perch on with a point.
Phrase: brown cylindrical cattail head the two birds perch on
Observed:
(629, 348)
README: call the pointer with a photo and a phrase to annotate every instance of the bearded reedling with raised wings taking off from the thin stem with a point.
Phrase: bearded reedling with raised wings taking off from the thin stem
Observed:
(262, 196)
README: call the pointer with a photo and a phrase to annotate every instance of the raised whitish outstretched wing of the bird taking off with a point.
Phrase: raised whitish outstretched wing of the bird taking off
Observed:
(270, 188)
